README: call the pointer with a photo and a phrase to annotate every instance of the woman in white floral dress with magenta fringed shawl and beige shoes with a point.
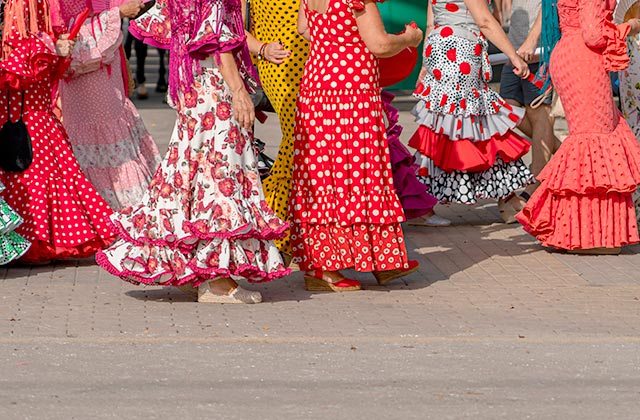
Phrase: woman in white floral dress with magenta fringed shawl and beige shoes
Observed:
(204, 218)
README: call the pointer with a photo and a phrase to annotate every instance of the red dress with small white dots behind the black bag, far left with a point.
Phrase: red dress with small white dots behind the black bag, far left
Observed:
(64, 216)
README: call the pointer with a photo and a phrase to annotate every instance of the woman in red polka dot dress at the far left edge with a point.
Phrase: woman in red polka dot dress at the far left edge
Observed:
(64, 216)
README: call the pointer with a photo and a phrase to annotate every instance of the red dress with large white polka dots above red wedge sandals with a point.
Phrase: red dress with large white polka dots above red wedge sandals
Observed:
(345, 209)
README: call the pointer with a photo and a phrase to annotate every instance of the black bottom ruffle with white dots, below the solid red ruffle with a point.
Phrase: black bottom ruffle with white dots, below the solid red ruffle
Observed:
(498, 182)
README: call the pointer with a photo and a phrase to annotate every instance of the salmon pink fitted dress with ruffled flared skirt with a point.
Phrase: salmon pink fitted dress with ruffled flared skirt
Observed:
(585, 197)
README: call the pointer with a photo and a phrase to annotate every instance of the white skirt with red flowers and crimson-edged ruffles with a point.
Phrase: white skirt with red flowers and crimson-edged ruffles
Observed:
(204, 215)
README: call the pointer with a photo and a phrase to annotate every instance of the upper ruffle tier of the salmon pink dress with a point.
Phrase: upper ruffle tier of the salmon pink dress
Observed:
(589, 163)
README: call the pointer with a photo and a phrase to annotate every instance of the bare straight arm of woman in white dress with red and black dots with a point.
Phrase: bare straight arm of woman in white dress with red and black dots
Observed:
(494, 32)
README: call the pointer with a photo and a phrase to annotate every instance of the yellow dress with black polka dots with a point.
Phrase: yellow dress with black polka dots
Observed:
(276, 20)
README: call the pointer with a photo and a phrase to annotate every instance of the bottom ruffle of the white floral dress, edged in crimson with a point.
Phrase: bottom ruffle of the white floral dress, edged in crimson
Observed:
(168, 267)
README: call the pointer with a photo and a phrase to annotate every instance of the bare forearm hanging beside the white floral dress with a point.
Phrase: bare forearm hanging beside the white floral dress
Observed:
(242, 105)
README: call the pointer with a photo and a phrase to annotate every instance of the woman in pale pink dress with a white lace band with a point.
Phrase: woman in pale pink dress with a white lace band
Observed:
(109, 138)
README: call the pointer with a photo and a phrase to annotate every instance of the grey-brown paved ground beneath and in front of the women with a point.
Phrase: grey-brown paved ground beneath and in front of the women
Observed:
(490, 327)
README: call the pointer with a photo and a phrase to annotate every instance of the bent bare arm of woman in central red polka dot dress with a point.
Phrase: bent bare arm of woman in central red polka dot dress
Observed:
(376, 38)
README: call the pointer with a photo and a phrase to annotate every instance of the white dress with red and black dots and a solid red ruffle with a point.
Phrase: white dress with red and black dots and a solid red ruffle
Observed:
(465, 141)
